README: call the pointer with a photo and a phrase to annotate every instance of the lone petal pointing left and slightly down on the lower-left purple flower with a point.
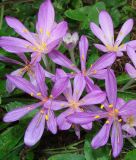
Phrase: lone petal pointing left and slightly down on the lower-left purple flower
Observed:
(18, 113)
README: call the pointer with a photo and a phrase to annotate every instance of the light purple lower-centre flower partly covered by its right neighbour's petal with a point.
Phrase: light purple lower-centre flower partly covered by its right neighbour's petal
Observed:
(75, 104)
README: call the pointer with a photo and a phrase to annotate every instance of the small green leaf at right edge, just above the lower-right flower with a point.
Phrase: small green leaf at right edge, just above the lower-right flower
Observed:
(127, 95)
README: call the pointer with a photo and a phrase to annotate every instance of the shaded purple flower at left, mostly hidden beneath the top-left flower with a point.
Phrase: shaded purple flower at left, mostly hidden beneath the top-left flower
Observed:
(26, 67)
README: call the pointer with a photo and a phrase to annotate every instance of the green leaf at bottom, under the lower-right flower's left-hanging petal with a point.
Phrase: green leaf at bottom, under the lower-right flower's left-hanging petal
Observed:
(95, 154)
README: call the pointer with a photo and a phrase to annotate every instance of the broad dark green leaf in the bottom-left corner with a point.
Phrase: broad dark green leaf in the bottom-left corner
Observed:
(9, 139)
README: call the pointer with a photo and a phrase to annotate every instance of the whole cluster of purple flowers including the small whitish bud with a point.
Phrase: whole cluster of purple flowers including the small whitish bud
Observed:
(77, 109)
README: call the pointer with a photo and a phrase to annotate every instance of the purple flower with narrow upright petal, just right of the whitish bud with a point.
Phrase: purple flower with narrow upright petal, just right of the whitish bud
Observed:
(96, 70)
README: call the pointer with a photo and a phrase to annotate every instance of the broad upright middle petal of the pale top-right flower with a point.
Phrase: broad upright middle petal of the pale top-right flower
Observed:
(107, 26)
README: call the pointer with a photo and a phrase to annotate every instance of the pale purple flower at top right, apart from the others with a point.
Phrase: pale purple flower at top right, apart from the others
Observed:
(106, 34)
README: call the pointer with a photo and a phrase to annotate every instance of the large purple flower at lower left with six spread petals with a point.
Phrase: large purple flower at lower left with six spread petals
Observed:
(47, 103)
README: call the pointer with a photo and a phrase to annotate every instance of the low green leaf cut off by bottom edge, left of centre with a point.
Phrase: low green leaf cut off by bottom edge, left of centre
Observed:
(67, 157)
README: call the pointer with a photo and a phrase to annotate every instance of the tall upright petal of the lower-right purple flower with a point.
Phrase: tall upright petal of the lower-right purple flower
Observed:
(111, 87)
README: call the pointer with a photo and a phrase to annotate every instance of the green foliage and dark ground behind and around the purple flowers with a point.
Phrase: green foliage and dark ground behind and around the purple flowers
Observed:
(64, 145)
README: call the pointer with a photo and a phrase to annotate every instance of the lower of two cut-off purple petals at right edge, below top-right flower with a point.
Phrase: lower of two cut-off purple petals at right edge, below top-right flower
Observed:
(130, 70)
